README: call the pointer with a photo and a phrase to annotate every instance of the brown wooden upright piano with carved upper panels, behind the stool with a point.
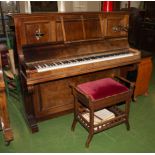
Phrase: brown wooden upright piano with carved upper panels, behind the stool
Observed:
(57, 49)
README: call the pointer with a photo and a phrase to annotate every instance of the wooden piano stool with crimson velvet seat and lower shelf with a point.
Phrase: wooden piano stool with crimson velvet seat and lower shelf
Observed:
(105, 95)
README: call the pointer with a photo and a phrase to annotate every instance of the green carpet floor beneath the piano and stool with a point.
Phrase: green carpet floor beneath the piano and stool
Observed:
(55, 134)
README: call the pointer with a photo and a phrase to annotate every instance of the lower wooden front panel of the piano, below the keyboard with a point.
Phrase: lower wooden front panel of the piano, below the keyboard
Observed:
(55, 96)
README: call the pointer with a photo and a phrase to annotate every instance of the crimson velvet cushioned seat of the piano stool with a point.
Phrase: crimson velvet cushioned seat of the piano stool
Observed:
(102, 88)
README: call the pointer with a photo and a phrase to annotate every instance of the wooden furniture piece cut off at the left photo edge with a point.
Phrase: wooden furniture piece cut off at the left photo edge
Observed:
(5, 126)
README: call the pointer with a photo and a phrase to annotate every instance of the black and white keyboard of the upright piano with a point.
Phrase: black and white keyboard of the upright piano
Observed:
(81, 61)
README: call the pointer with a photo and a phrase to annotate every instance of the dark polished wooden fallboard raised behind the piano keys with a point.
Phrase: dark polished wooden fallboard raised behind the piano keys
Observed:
(60, 50)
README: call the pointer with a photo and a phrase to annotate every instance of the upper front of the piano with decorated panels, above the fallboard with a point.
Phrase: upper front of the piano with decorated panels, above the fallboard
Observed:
(68, 27)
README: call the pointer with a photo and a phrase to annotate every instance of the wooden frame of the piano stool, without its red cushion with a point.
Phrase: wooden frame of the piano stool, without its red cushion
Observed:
(83, 103)
